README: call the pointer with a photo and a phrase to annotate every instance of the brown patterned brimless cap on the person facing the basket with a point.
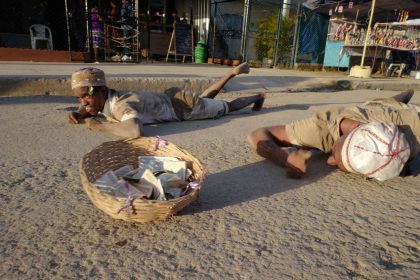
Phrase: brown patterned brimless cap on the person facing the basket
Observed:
(88, 77)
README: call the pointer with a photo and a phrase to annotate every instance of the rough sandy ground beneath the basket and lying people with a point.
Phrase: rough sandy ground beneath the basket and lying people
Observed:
(251, 221)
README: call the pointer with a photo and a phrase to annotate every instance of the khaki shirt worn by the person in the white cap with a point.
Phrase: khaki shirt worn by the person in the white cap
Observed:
(323, 129)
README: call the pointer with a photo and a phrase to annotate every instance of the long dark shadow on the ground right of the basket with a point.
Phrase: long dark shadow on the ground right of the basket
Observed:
(253, 181)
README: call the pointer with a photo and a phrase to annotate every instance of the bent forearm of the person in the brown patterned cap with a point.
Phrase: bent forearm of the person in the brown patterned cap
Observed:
(130, 128)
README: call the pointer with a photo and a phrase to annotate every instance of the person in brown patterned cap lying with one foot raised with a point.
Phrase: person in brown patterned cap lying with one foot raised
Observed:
(127, 113)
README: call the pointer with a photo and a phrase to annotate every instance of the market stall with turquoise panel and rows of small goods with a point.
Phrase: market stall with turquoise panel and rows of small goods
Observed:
(394, 32)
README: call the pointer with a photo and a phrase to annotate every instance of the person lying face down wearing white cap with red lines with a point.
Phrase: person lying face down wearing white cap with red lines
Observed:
(374, 139)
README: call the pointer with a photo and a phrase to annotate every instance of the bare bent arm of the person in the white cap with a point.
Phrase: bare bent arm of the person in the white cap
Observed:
(271, 143)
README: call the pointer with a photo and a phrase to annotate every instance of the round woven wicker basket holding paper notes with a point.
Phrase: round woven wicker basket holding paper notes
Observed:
(115, 154)
